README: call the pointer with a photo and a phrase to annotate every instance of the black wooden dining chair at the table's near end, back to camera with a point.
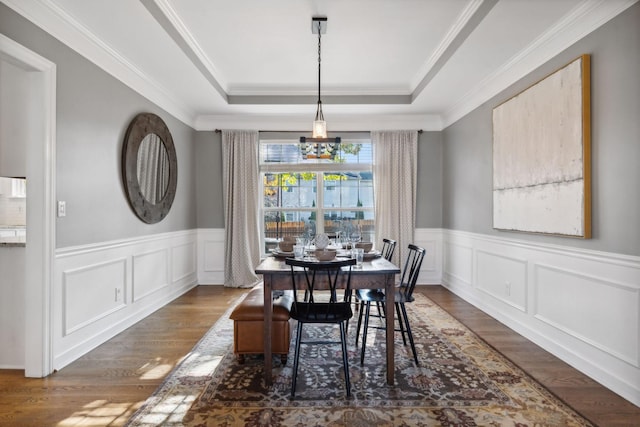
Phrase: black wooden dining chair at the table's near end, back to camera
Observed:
(311, 276)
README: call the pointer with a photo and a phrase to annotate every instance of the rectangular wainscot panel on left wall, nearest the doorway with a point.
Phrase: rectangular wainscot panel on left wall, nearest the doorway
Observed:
(92, 292)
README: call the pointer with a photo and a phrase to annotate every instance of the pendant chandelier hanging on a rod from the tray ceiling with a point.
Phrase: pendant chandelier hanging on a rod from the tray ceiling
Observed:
(319, 146)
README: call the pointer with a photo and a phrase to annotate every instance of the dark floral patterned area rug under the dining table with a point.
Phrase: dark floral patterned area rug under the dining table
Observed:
(461, 381)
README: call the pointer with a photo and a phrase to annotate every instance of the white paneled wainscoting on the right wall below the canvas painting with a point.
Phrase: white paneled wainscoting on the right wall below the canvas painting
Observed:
(582, 306)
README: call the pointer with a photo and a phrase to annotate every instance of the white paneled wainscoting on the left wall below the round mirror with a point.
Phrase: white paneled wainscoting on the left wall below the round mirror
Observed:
(102, 289)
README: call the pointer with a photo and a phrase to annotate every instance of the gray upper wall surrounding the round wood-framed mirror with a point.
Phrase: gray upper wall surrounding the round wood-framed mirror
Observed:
(93, 112)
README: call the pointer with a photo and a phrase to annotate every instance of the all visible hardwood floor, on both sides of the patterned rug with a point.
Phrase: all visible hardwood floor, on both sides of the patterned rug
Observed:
(107, 385)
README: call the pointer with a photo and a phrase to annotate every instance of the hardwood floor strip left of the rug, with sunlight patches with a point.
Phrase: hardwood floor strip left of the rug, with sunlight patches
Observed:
(104, 387)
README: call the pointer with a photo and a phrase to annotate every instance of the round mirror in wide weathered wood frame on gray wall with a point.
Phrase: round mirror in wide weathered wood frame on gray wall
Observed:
(149, 167)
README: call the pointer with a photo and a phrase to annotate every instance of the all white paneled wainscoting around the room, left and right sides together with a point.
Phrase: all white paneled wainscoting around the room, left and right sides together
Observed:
(582, 306)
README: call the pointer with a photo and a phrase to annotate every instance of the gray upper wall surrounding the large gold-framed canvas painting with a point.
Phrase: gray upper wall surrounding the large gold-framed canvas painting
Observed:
(615, 88)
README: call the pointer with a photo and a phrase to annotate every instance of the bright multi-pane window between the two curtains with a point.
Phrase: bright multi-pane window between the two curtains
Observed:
(311, 193)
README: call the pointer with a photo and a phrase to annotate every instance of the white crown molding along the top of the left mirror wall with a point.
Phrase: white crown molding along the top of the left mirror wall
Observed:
(55, 21)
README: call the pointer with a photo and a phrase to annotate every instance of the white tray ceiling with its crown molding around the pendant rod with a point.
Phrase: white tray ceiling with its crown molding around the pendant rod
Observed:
(253, 63)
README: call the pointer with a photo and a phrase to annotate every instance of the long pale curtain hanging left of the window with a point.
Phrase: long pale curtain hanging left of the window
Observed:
(241, 183)
